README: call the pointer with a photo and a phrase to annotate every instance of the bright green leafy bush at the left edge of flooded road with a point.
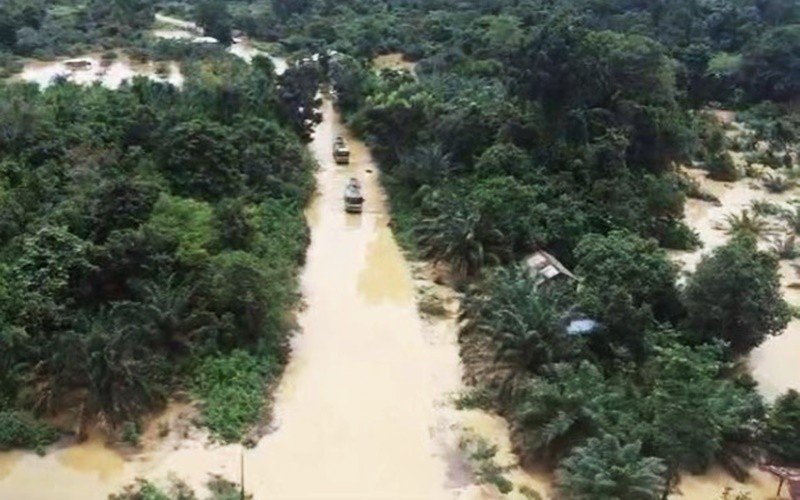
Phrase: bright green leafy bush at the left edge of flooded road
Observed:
(232, 389)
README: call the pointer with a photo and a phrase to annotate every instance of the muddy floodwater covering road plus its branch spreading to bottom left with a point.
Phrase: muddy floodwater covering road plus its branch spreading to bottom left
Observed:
(364, 408)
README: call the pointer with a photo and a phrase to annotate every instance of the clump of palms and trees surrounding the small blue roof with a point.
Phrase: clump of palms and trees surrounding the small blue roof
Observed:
(643, 373)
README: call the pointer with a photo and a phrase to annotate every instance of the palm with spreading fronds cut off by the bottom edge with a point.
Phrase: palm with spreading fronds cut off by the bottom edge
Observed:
(604, 469)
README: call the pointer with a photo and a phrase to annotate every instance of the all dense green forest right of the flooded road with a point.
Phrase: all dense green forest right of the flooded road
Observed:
(560, 126)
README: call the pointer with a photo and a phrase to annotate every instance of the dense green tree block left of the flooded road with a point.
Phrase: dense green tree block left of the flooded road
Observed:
(149, 241)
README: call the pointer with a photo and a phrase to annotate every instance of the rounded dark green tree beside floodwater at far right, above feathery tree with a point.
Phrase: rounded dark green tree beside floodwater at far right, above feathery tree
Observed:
(735, 295)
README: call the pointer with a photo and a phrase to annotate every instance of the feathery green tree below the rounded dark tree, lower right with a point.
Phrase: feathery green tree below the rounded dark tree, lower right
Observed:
(690, 415)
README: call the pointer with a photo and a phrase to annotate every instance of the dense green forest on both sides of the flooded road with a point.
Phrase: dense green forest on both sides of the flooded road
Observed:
(526, 125)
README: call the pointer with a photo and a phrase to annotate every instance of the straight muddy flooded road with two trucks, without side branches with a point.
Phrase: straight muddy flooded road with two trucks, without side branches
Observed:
(357, 406)
